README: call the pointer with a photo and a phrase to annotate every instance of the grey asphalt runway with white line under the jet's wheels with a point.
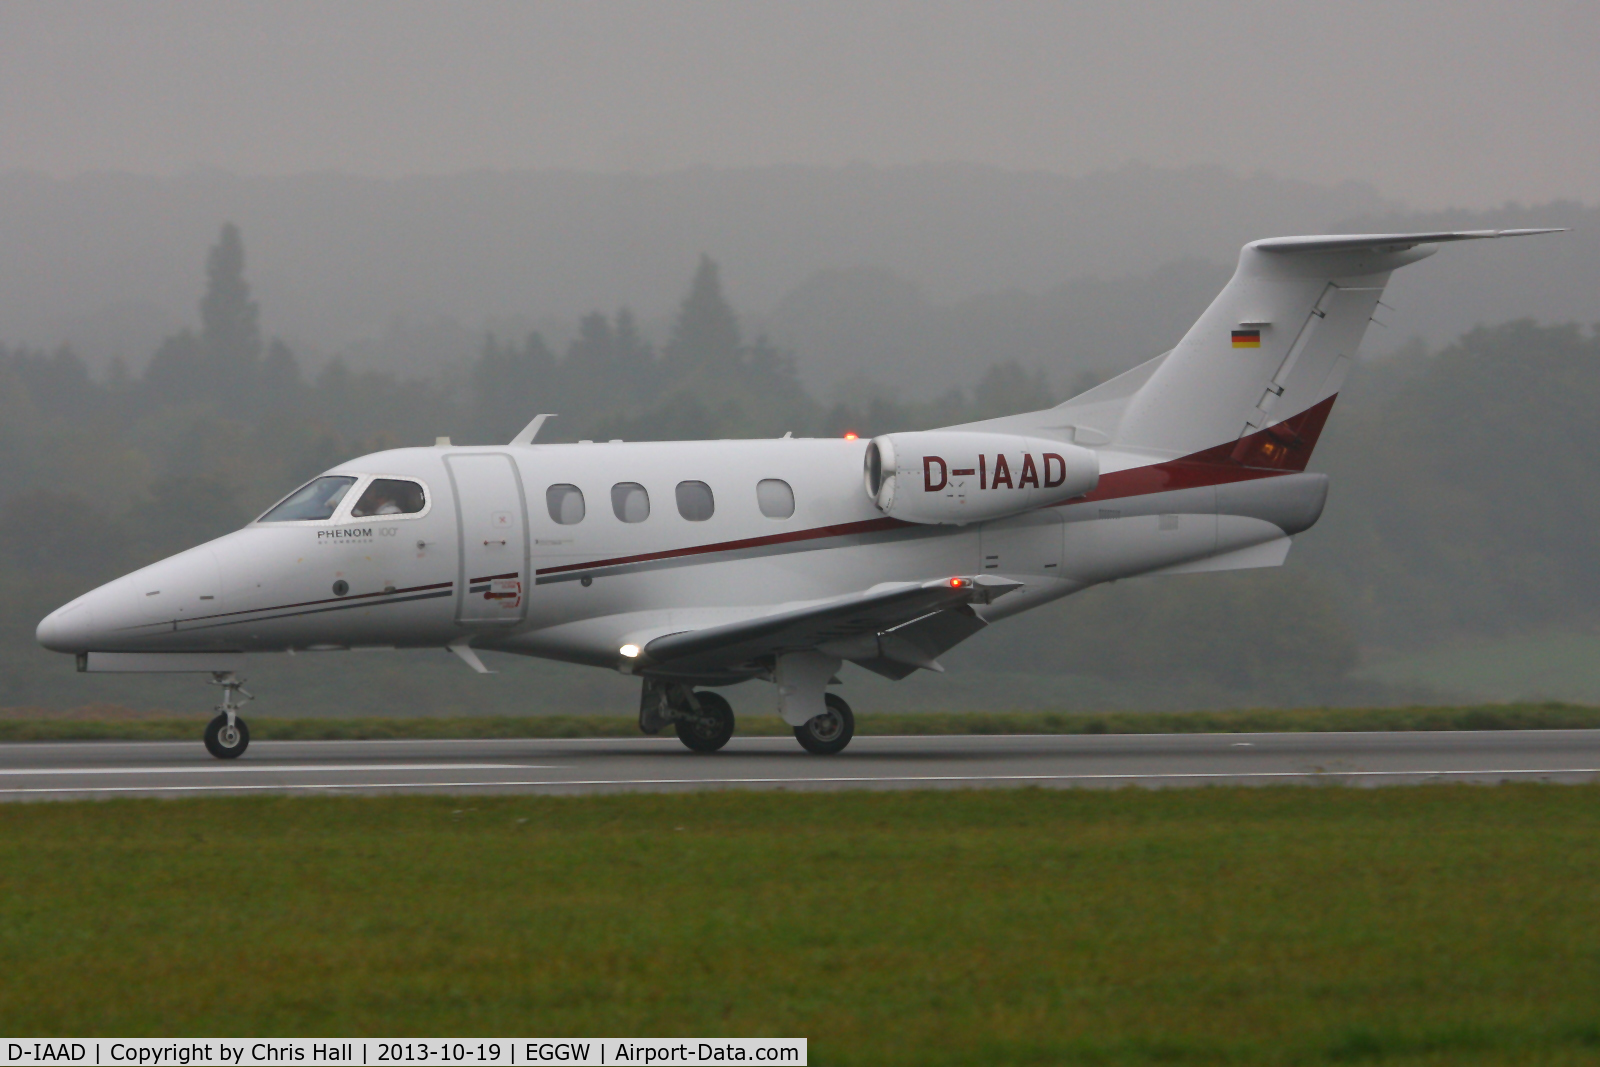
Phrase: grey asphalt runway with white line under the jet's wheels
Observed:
(161, 769)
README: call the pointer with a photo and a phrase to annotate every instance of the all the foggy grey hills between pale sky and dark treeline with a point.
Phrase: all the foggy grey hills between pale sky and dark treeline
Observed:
(921, 276)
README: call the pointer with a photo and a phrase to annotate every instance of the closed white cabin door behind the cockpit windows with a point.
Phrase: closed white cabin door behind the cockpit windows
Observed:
(492, 524)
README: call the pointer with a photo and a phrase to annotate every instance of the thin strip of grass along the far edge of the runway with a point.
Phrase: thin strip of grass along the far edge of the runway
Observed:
(113, 725)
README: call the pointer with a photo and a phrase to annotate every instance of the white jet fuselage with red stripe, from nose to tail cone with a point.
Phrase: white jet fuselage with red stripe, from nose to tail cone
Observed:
(487, 562)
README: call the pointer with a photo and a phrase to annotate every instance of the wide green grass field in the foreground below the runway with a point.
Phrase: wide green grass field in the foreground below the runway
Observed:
(1412, 925)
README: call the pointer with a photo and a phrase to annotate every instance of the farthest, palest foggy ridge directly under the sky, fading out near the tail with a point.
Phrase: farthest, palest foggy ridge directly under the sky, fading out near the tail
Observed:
(108, 262)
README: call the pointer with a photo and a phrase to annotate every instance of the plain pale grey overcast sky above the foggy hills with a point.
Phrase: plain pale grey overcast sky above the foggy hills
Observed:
(1439, 103)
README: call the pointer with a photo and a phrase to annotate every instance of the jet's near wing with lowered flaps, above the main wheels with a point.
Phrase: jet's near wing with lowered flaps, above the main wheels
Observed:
(854, 626)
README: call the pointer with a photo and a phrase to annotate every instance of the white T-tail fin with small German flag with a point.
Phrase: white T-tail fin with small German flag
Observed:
(1274, 346)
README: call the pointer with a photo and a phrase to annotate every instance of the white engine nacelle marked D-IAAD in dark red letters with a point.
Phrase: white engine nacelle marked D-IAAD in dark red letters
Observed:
(961, 478)
